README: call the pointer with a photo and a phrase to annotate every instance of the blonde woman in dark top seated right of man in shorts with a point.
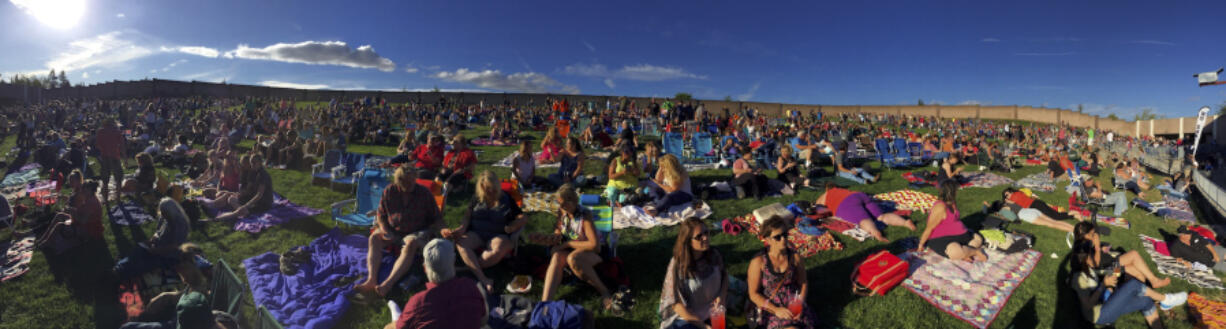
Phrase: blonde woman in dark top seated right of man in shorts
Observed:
(492, 224)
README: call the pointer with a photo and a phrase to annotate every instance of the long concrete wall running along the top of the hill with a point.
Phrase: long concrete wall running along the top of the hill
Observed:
(148, 89)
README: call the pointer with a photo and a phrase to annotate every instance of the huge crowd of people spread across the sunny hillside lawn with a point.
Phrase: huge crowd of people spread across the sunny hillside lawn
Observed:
(200, 137)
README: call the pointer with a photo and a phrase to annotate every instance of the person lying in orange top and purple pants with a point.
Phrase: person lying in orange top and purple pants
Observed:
(859, 209)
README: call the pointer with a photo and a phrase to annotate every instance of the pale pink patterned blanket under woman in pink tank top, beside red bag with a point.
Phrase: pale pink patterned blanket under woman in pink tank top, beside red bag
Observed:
(974, 293)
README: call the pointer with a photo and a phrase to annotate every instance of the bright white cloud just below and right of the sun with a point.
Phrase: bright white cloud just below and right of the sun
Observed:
(101, 51)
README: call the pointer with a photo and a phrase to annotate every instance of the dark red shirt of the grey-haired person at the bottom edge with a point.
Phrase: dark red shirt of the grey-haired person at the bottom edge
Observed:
(454, 304)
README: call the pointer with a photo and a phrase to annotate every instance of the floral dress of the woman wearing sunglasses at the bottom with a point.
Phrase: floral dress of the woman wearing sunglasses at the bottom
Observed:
(779, 289)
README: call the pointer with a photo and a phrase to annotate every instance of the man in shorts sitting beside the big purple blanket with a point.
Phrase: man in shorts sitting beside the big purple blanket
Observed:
(409, 218)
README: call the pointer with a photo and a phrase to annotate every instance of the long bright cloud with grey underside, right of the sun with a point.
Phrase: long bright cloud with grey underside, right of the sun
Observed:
(317, 53)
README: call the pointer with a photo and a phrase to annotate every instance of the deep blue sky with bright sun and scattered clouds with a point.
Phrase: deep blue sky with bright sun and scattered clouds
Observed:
(1108, 57)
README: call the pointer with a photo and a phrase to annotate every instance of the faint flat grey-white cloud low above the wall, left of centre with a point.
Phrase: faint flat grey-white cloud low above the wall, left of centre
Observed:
(517, 83)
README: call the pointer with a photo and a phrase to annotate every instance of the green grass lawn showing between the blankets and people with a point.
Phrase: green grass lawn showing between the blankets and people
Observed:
(70, 296)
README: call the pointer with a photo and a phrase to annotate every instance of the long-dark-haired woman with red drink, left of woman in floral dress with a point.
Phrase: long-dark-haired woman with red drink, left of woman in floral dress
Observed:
(696, 281)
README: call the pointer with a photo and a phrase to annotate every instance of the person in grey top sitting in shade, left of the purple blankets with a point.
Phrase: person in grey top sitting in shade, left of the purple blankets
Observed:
(164, 250)
